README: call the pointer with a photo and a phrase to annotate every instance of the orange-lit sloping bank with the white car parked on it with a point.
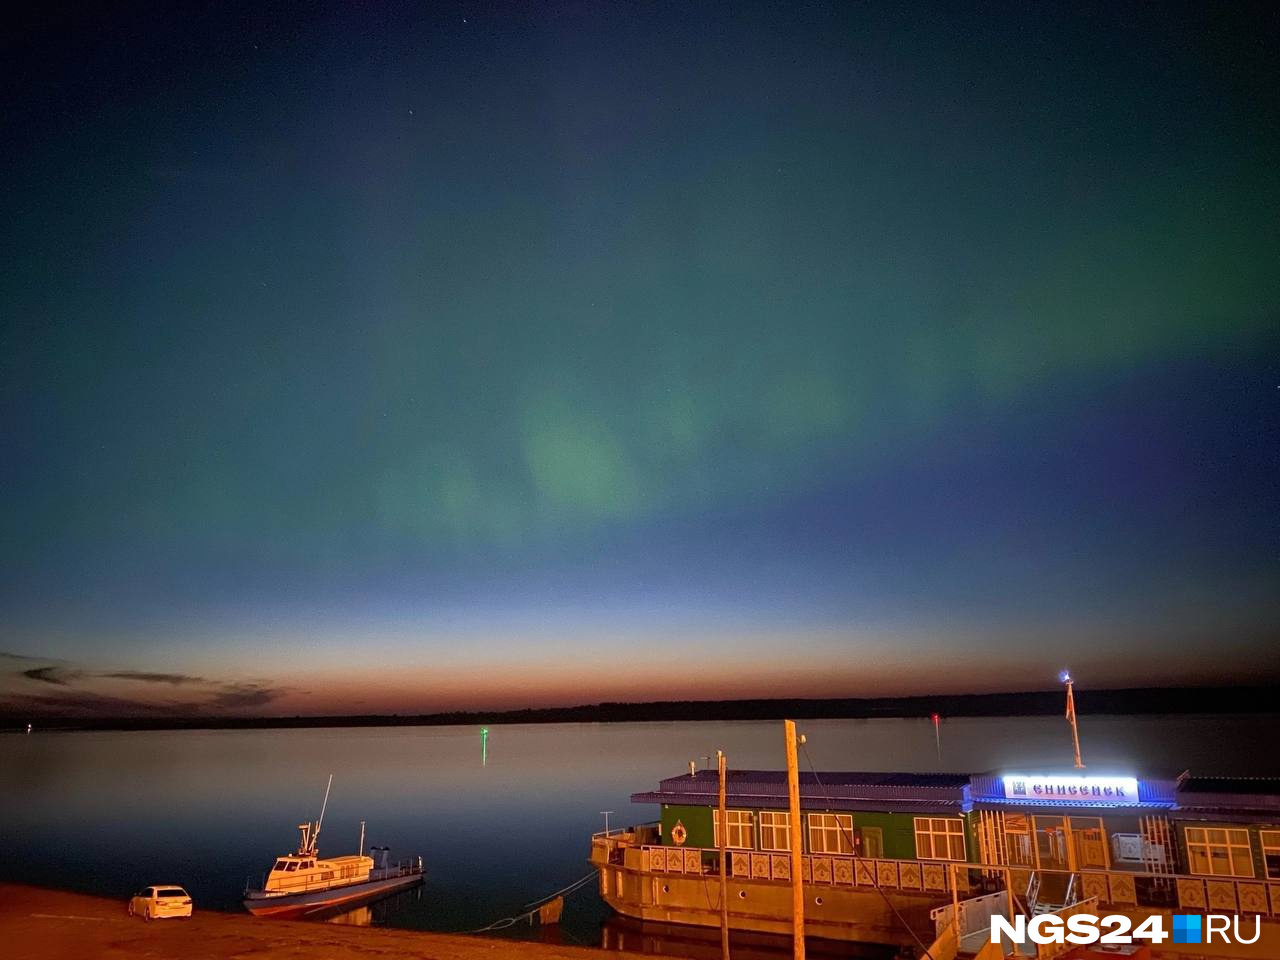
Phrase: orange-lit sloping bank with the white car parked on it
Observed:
(45, 925)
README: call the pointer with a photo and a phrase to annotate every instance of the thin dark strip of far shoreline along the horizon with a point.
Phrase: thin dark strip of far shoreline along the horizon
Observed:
(1133, 702)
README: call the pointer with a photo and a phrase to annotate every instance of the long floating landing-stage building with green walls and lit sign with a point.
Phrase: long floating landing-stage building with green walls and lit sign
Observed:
(890, 856)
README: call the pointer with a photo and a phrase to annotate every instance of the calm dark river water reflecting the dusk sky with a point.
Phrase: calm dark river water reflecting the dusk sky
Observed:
(108, 813)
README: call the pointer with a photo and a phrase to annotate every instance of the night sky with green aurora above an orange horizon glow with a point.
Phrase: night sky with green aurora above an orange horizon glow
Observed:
(403, 358)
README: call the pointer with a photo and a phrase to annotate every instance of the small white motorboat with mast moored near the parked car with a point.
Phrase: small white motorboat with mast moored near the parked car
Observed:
(305, 884)
